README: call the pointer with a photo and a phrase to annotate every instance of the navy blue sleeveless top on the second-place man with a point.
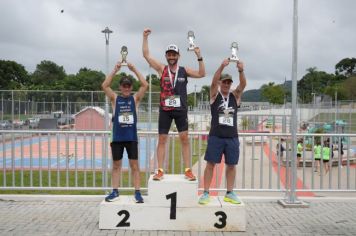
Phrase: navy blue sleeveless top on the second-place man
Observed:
(125, 120)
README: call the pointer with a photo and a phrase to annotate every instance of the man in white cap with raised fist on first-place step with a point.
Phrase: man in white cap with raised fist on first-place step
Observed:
(173, 101)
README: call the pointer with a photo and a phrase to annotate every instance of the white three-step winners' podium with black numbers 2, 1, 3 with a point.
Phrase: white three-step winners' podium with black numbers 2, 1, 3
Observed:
(172, 204)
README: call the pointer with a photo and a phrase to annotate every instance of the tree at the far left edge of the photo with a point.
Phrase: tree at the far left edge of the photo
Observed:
(13, 75)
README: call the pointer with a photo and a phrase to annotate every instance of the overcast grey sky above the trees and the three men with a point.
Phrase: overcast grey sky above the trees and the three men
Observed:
(36, 30)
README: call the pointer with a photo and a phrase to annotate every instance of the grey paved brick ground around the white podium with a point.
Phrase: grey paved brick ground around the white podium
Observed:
(73, 215)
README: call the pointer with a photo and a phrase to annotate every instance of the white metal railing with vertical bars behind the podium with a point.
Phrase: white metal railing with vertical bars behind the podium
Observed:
(81, 160)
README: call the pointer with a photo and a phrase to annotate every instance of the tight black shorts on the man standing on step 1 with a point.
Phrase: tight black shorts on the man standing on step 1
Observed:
(165, 118)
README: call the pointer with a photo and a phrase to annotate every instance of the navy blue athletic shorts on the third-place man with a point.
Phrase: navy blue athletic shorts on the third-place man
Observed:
(230, 147)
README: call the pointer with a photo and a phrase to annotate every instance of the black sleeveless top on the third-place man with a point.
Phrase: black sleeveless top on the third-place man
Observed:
(224, 117)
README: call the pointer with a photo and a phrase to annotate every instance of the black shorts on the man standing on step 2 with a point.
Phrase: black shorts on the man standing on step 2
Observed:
(117, 150)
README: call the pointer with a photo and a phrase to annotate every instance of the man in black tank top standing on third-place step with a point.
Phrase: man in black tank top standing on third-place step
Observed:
(223, 137)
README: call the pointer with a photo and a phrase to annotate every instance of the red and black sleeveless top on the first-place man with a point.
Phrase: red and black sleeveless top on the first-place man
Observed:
(173, 96)
